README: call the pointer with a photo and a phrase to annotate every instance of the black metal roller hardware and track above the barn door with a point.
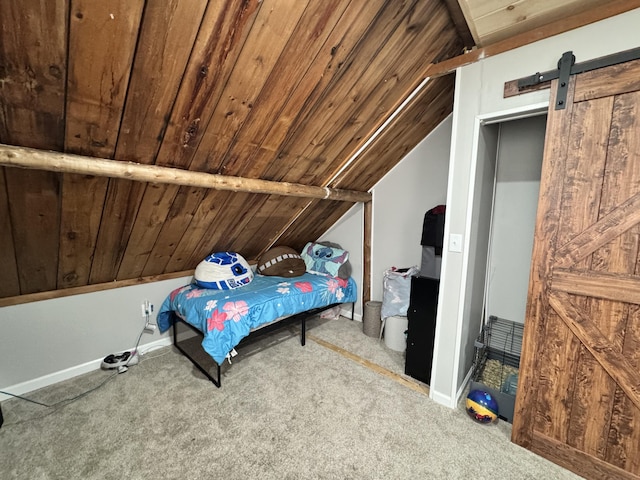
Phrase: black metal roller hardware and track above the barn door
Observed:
(568, 67)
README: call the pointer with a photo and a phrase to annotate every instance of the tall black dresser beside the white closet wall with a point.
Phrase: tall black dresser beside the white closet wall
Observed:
(423, 306)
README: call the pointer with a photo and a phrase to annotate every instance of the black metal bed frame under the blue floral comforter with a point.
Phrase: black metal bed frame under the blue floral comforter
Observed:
(217, 379)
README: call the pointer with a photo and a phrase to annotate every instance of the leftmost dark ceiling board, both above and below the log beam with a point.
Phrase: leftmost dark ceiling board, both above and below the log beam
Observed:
(32, 78)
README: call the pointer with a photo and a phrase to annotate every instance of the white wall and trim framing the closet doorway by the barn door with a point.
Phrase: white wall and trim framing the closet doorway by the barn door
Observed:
(479, 97)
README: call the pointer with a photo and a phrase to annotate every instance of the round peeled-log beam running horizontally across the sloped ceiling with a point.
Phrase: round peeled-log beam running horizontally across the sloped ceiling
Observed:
(21, 157)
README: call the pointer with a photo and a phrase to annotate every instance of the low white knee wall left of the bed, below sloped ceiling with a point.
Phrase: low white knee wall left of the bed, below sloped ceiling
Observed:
(51, 340)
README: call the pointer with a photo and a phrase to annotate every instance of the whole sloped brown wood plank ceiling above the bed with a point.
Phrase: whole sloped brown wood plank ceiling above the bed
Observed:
(280, 90)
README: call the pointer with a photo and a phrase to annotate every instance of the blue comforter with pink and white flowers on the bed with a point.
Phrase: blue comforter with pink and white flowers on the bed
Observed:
(227, 316)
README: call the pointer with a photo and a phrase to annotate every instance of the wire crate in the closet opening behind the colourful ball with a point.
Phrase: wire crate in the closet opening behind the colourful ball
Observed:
(497, 361)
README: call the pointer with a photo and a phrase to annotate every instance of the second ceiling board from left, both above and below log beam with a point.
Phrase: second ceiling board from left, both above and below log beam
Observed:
(97, 86)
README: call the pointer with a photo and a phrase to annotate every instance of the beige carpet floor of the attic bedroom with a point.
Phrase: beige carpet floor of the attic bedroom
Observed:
(283, 412)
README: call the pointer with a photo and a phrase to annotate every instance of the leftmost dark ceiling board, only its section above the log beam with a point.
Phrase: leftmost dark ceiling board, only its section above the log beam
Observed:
(33, 73)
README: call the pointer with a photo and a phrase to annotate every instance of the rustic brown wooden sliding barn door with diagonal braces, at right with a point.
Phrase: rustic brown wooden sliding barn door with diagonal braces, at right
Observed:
(578, 401)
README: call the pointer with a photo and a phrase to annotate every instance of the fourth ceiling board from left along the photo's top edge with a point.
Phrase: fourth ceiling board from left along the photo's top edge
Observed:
(220, 39)
